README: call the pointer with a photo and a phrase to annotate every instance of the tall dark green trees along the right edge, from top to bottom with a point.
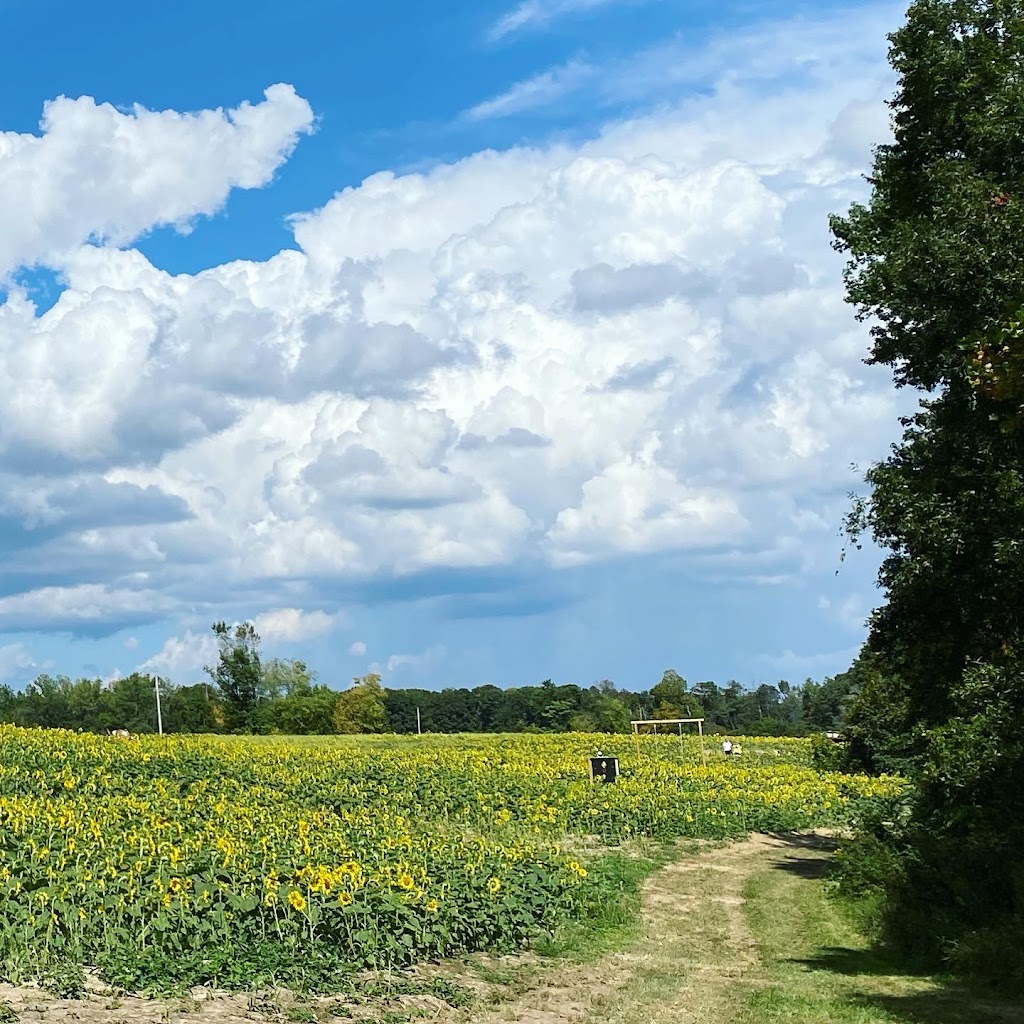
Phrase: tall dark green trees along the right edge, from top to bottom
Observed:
(935, 261)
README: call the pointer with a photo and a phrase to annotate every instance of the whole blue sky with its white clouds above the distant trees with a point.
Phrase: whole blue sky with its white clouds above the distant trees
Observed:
(488, 346)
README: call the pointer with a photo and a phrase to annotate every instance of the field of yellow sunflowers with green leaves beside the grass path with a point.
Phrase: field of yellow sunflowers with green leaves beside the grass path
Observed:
(211, 861)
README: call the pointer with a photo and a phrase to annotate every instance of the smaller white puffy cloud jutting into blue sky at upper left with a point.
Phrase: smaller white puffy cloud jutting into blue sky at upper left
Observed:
(98, 173)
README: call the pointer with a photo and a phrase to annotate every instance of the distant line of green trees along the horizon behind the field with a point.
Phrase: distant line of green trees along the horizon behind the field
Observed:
(284, 698)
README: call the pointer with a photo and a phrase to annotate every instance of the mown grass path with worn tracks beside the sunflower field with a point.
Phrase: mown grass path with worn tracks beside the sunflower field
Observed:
(745, 935)
